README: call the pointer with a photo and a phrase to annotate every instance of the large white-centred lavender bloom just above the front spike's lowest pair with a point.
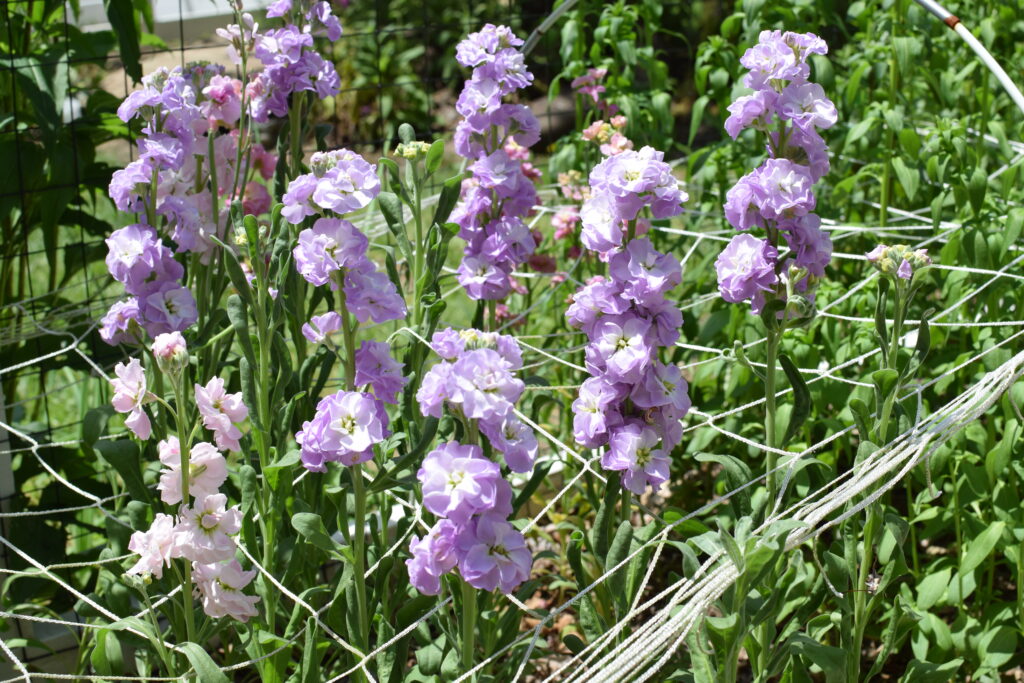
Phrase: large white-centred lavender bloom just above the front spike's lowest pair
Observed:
(459, 483)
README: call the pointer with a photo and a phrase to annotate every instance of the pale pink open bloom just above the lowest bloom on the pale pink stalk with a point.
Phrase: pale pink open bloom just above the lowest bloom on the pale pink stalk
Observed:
(206, 530)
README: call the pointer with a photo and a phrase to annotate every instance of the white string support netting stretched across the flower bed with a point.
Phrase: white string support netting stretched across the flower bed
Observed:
(631, 650)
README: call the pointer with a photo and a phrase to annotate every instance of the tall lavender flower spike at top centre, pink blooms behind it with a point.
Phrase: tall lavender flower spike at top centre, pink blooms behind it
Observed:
(493, 136)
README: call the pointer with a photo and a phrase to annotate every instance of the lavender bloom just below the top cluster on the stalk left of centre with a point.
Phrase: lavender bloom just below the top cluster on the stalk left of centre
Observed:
(332, 244)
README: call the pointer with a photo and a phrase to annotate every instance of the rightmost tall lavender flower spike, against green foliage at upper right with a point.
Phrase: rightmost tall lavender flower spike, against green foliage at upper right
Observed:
(779, 196)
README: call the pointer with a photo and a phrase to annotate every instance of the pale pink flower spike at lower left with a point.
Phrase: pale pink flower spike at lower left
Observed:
(203, 531)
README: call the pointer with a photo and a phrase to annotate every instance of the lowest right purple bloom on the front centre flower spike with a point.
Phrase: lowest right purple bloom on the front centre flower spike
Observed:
(493, 556)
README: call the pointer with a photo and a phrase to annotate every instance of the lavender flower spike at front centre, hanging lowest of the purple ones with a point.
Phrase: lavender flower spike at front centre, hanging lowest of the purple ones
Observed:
(461, 487)
